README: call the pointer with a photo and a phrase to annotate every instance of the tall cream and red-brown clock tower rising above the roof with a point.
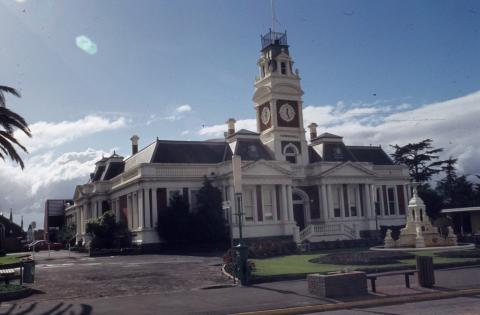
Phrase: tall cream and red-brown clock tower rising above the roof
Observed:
(278, 101)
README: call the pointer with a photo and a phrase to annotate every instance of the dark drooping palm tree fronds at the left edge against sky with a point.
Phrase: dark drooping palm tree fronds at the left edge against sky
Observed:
(9, 121)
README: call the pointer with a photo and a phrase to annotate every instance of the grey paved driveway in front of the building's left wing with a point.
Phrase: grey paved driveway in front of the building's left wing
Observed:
(65, 276)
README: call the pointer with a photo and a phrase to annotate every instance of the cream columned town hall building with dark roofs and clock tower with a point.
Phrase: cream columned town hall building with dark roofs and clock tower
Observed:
(314, 190)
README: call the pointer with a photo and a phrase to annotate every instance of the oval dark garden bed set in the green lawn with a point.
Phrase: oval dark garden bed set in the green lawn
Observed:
(362, 258)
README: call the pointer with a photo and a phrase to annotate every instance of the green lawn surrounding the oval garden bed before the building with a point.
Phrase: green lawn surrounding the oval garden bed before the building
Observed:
(299, 264)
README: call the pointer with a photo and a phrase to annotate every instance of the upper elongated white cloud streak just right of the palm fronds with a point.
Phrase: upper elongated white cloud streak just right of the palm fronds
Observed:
(53, 134)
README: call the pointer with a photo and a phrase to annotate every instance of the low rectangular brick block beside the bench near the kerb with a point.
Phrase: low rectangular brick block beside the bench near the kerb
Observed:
(338, 285)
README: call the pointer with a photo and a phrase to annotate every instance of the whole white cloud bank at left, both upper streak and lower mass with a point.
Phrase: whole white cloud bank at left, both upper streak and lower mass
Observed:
(48, 174)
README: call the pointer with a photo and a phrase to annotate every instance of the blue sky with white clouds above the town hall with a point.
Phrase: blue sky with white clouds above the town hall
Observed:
(361, 62)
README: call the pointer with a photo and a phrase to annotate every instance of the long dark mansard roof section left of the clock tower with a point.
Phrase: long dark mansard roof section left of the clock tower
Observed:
(201, 152)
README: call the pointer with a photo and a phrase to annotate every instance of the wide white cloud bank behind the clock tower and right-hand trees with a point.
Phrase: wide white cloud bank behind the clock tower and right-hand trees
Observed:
(453, 125)
